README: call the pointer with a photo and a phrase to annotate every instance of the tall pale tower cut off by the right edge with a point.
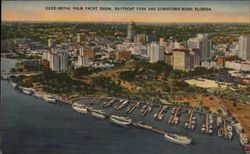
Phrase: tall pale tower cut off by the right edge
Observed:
(244, 47)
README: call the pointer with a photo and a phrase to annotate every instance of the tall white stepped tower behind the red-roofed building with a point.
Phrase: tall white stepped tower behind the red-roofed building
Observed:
(203, 44)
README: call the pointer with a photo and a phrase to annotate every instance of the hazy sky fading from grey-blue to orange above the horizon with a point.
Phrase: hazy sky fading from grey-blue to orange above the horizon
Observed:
(221, 11)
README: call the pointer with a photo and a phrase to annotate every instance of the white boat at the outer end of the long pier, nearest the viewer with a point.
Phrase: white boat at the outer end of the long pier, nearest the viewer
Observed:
(178, 139)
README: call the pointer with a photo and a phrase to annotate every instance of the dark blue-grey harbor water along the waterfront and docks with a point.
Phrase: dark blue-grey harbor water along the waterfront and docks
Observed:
(32, 126)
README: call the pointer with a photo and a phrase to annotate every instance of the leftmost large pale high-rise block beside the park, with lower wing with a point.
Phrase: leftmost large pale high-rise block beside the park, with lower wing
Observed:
(58, 60)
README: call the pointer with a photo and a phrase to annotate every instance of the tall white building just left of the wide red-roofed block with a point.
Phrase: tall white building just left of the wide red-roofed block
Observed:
(155, 52)
